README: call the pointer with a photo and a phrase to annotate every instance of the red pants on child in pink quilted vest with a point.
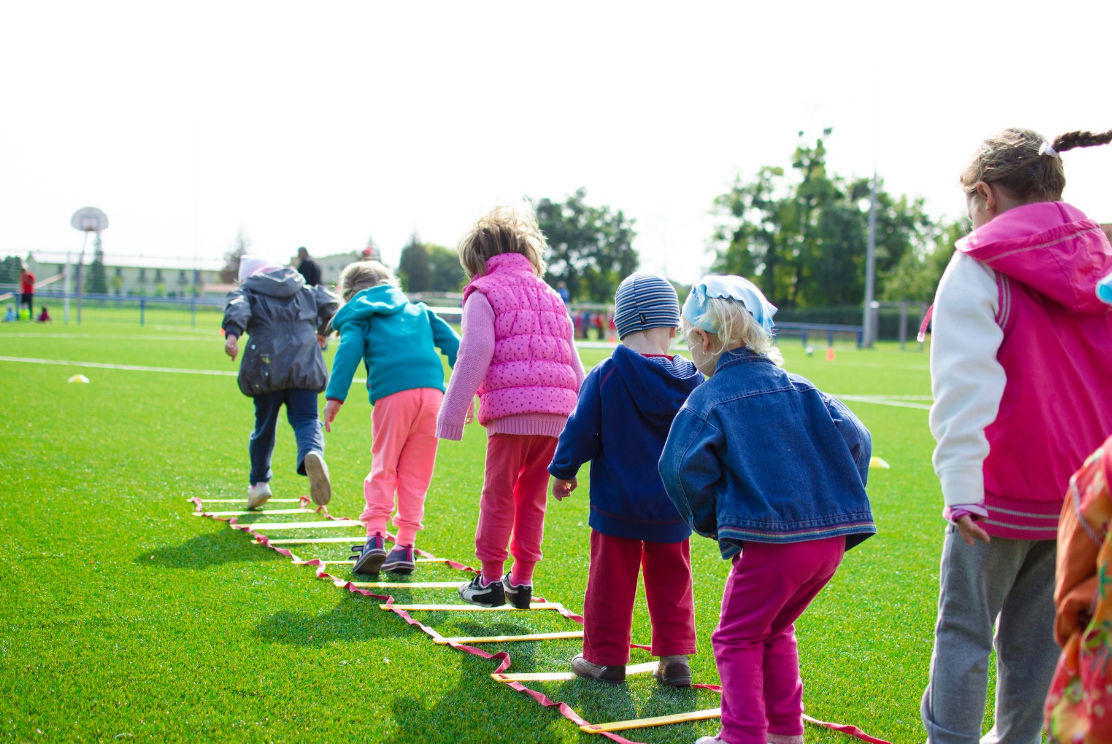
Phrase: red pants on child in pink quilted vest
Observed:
(515, 495)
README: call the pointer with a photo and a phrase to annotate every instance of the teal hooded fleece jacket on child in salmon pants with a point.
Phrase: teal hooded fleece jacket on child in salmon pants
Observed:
(395, 340)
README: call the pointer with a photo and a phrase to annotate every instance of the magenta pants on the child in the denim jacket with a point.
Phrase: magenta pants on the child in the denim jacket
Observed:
(754, 644)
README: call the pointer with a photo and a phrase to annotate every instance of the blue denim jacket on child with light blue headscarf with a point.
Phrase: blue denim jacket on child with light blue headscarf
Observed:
(759, 454)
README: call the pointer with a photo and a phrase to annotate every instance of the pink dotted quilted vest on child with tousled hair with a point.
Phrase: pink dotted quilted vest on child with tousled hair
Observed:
(531, 372)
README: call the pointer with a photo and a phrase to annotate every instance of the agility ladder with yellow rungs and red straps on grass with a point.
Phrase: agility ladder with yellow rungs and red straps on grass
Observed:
(465, 644)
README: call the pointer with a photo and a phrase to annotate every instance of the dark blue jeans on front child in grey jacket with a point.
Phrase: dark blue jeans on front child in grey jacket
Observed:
(301, 413)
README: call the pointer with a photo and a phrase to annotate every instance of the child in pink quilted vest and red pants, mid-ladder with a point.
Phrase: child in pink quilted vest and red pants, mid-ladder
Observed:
(518, 354)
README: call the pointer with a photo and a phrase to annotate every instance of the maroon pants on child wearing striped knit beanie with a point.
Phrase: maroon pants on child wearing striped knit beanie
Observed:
(612, 588)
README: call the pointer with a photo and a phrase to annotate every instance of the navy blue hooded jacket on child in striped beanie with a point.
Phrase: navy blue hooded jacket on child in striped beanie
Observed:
(627, 406)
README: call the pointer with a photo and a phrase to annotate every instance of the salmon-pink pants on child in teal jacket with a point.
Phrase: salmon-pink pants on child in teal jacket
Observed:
(403, 457)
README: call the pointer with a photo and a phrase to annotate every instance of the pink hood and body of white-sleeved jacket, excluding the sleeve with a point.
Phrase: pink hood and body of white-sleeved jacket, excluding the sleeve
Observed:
(1057, 354)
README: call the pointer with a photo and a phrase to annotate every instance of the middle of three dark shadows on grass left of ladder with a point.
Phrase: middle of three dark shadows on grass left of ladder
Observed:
(354, 619)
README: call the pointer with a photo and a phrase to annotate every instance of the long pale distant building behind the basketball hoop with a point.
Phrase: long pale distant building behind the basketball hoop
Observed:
(137, 275)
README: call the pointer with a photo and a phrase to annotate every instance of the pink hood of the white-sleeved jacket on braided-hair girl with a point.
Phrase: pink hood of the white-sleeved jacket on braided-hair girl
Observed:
(1049, 246)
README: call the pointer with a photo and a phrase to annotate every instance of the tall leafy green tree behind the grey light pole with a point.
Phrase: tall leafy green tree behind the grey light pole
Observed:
(801, 235)
